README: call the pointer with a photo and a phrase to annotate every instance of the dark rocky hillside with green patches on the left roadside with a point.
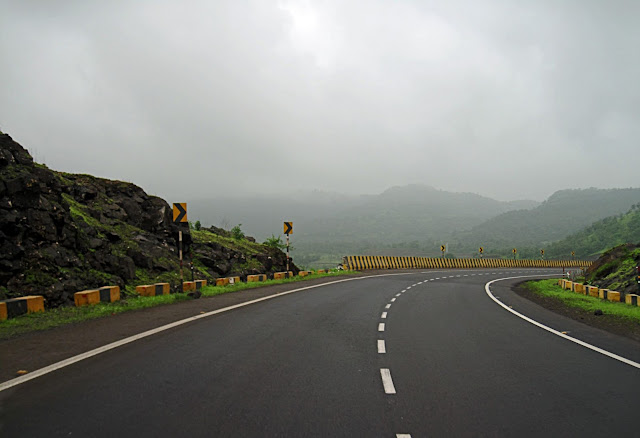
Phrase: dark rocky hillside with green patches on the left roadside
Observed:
(61, 233)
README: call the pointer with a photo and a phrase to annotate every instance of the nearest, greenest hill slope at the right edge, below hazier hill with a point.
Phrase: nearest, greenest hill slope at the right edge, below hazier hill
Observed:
(600, 236)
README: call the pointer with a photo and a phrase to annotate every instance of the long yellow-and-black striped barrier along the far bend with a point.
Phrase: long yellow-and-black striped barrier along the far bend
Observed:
(360, 263)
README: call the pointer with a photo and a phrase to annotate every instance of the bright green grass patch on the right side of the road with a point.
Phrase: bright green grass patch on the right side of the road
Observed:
(550, 288)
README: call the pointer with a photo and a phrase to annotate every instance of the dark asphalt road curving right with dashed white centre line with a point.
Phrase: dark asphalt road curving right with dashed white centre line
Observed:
(447, 361)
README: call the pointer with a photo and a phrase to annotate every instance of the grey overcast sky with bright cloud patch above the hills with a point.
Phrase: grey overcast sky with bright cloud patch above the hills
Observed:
(509, 99)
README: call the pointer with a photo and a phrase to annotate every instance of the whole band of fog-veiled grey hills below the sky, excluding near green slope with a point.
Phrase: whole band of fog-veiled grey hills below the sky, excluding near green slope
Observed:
(413, 220)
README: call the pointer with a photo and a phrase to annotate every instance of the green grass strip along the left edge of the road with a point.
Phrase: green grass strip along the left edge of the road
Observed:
(66, 315)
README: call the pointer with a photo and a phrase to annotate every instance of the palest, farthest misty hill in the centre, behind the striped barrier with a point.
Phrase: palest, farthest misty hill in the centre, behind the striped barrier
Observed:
(412, 218)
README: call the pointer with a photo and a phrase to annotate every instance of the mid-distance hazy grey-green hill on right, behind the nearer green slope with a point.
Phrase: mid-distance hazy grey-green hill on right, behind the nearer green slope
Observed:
(564, 213)
